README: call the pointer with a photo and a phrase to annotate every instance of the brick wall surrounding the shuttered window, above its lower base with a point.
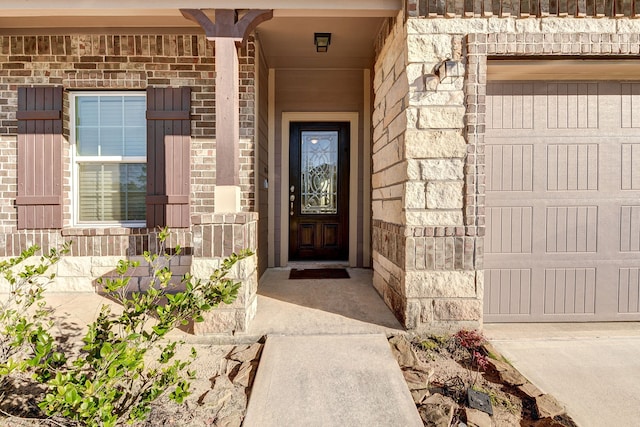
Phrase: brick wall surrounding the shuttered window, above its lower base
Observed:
(120, 62)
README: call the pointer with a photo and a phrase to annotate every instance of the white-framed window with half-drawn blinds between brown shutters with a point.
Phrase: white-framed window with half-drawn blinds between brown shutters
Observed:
(110, 154)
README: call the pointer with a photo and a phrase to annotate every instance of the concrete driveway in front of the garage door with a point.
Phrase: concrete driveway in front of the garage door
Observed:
(591, 368)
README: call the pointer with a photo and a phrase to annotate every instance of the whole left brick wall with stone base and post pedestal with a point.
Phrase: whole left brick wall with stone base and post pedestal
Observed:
(125, 62)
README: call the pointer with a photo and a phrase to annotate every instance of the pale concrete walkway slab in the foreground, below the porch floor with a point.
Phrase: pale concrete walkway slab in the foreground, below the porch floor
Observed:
(330, 380)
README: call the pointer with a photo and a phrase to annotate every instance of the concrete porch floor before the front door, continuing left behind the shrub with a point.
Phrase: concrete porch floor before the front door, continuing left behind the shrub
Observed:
(285, 307)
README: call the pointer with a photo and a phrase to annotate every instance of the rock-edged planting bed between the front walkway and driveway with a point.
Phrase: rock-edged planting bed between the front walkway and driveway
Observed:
(433, 373)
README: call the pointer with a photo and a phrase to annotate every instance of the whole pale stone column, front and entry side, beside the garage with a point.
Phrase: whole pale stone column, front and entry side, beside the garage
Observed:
(424, 238)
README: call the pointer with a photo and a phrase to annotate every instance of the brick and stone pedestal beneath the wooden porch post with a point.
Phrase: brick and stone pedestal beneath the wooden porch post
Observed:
(215, 237)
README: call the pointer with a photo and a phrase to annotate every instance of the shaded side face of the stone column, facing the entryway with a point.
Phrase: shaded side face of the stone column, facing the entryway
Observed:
(389, 123)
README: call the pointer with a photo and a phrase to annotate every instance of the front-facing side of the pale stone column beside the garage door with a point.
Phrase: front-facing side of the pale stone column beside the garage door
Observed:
(442, 286)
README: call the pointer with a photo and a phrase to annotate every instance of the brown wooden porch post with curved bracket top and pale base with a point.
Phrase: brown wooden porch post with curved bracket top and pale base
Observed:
(227, 33)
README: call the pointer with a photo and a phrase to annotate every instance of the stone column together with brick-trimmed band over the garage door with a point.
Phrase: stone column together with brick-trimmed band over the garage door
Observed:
(428, 161)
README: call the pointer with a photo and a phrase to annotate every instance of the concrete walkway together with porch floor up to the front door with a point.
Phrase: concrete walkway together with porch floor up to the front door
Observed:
(326, 361)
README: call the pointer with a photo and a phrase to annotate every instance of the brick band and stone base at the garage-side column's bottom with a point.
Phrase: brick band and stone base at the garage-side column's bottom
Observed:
(428, 281)
